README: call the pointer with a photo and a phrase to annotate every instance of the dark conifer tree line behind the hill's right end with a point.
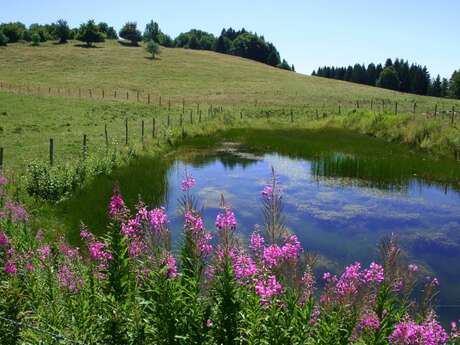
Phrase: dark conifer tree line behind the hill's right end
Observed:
(396, 75)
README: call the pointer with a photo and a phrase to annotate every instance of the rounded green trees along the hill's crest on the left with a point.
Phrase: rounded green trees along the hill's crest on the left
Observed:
(233, 42)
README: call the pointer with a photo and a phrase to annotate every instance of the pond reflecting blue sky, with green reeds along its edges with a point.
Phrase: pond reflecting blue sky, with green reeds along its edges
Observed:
(342, 193)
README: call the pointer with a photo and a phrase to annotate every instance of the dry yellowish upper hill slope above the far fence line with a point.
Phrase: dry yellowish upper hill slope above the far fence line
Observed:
(197, 76)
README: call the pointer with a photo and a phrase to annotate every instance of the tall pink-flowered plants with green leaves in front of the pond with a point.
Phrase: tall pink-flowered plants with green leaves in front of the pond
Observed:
(129, 287)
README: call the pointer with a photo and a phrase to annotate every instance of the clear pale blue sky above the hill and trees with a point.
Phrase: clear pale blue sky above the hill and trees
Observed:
(307, 33)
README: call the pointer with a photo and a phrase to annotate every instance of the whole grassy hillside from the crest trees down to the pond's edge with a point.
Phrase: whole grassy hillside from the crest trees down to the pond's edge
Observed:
(31, 114)
